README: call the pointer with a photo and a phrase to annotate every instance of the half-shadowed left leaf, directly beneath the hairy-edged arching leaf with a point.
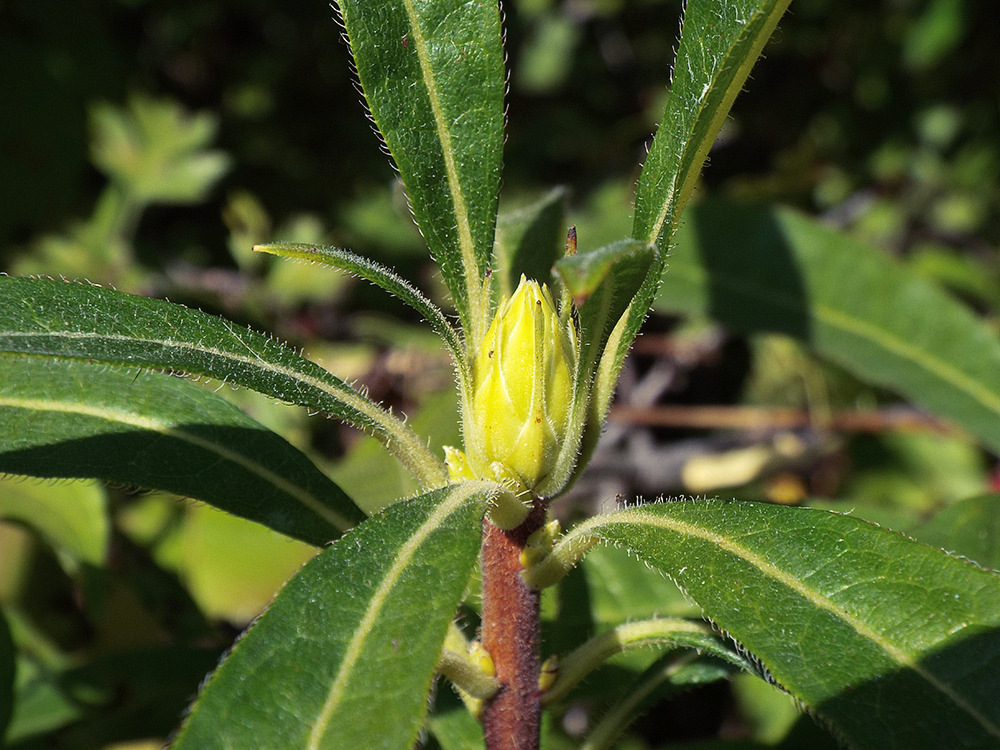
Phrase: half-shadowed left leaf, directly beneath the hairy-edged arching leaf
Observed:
(71, 419)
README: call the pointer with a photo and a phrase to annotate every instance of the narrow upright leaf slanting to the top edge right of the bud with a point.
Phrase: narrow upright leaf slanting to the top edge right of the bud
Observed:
(720, 42)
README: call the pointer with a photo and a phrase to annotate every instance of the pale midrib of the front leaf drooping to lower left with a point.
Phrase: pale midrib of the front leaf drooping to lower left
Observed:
(355, 648)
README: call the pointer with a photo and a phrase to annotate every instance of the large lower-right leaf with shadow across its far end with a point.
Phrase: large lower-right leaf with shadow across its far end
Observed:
(895, 644)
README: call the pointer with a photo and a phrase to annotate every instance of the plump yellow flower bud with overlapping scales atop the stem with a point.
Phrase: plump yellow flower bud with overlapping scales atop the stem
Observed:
(522, 387)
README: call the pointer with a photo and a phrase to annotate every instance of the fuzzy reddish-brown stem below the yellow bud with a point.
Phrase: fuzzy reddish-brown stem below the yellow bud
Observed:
(510, 634)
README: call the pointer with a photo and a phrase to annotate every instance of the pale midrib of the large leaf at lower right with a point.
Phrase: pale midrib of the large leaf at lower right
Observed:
(819, 600)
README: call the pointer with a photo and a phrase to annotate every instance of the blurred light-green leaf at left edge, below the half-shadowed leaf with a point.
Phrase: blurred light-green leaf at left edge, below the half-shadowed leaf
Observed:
(71, 517)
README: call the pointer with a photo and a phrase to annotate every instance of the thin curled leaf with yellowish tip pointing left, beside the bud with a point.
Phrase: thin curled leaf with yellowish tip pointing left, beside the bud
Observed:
(380, 276)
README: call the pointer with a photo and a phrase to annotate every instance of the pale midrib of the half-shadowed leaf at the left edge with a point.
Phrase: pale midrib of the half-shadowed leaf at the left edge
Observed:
(299, 494)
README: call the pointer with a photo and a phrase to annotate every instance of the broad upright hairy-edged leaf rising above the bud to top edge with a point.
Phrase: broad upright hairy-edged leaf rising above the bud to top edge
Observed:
(433, 76)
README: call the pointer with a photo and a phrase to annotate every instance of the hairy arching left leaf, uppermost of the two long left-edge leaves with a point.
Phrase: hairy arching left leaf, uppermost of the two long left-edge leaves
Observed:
(48, 318)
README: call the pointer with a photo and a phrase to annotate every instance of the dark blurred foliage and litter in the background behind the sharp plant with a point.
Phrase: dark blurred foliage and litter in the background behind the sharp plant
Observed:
(148, 144)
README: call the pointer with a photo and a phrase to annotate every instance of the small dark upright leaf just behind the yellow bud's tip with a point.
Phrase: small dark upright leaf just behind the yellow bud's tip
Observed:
(530, 239)
